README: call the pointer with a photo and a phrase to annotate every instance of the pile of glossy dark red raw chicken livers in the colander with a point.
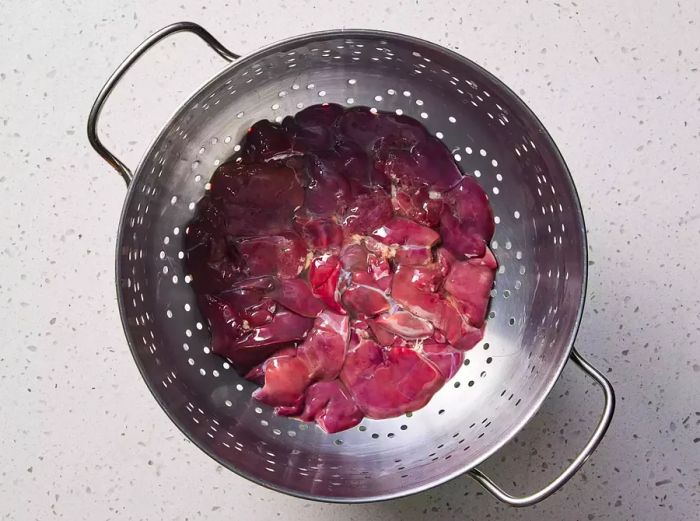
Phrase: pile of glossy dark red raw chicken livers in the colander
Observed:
(342, 262)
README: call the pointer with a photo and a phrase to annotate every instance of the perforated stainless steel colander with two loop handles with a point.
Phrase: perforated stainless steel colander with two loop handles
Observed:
(537, 300)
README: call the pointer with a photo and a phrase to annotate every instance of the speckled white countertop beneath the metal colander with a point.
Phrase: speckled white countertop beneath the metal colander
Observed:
(616, 83)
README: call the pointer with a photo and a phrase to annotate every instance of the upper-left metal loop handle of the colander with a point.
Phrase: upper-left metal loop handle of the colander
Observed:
(156, 37)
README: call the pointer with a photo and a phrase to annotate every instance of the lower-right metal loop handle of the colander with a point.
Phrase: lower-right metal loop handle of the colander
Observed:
(579, 460)
